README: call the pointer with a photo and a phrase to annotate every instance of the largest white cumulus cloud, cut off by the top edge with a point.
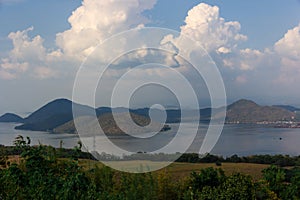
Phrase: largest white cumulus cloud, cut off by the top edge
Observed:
(94, 21)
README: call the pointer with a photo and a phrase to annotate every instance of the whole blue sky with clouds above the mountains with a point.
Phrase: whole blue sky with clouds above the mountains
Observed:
(254, 44)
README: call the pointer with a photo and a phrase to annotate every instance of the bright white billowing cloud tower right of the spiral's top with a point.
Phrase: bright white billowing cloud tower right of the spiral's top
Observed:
(204, 24)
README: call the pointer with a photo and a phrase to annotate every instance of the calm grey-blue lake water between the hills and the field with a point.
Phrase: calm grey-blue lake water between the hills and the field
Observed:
(235, 139)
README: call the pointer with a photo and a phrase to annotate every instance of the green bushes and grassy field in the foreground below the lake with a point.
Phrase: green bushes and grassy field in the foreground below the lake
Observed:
(39, 173)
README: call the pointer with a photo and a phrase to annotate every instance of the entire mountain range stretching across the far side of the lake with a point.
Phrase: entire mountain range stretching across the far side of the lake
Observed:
(57, 115)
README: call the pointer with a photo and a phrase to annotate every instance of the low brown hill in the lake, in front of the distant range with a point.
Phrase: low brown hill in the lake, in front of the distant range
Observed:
(109, 126)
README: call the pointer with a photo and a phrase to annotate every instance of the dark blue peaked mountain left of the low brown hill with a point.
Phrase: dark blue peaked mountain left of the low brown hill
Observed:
(53, 114)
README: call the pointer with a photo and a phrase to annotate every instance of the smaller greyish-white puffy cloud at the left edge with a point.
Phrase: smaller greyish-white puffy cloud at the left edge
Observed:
(28, 53)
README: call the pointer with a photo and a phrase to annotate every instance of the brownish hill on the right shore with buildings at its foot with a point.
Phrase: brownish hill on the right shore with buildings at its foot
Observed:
(246, 111)
